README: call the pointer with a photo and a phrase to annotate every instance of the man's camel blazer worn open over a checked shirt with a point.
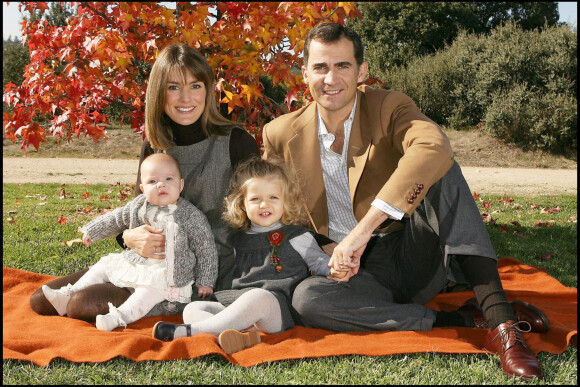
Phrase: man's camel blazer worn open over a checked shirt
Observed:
(395, 153)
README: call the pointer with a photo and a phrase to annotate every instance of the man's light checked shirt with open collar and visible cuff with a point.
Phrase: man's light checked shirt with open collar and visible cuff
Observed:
(341, 218)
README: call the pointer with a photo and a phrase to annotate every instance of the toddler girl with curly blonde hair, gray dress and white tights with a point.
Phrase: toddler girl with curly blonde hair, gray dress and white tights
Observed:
(273, 253)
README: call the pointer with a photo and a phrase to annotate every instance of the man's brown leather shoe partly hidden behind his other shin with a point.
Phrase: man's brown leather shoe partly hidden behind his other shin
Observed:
(524, 311)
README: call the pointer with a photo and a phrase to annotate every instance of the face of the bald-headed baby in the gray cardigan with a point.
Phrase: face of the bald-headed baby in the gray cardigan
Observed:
(161, 180)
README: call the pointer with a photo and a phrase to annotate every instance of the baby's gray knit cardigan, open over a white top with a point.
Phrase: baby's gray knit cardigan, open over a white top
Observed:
(195, 251)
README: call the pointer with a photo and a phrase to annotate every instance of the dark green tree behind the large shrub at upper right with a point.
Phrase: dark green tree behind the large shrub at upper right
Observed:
(397, 32)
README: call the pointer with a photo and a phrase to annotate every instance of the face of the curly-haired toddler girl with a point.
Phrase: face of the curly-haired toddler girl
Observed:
(264, 201)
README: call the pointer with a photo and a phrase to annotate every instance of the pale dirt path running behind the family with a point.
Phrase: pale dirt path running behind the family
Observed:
(514, 181)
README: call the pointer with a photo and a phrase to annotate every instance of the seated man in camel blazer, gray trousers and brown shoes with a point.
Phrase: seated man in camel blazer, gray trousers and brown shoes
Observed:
(379, 177)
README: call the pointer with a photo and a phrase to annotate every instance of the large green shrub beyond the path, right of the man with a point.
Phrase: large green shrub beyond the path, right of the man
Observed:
(534, 72)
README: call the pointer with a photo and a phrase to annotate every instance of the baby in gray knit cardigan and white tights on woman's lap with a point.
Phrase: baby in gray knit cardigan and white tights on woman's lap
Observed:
(190, 251)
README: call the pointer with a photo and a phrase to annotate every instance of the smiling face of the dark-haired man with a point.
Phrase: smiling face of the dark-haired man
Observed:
(332, 75)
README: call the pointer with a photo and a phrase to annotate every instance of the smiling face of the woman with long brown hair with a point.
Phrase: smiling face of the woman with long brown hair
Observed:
(185, 97)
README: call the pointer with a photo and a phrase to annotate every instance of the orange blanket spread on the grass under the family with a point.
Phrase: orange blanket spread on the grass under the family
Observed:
(40, 339)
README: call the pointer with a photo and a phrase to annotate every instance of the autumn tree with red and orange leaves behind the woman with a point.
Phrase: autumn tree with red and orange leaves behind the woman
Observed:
(104, 53)
